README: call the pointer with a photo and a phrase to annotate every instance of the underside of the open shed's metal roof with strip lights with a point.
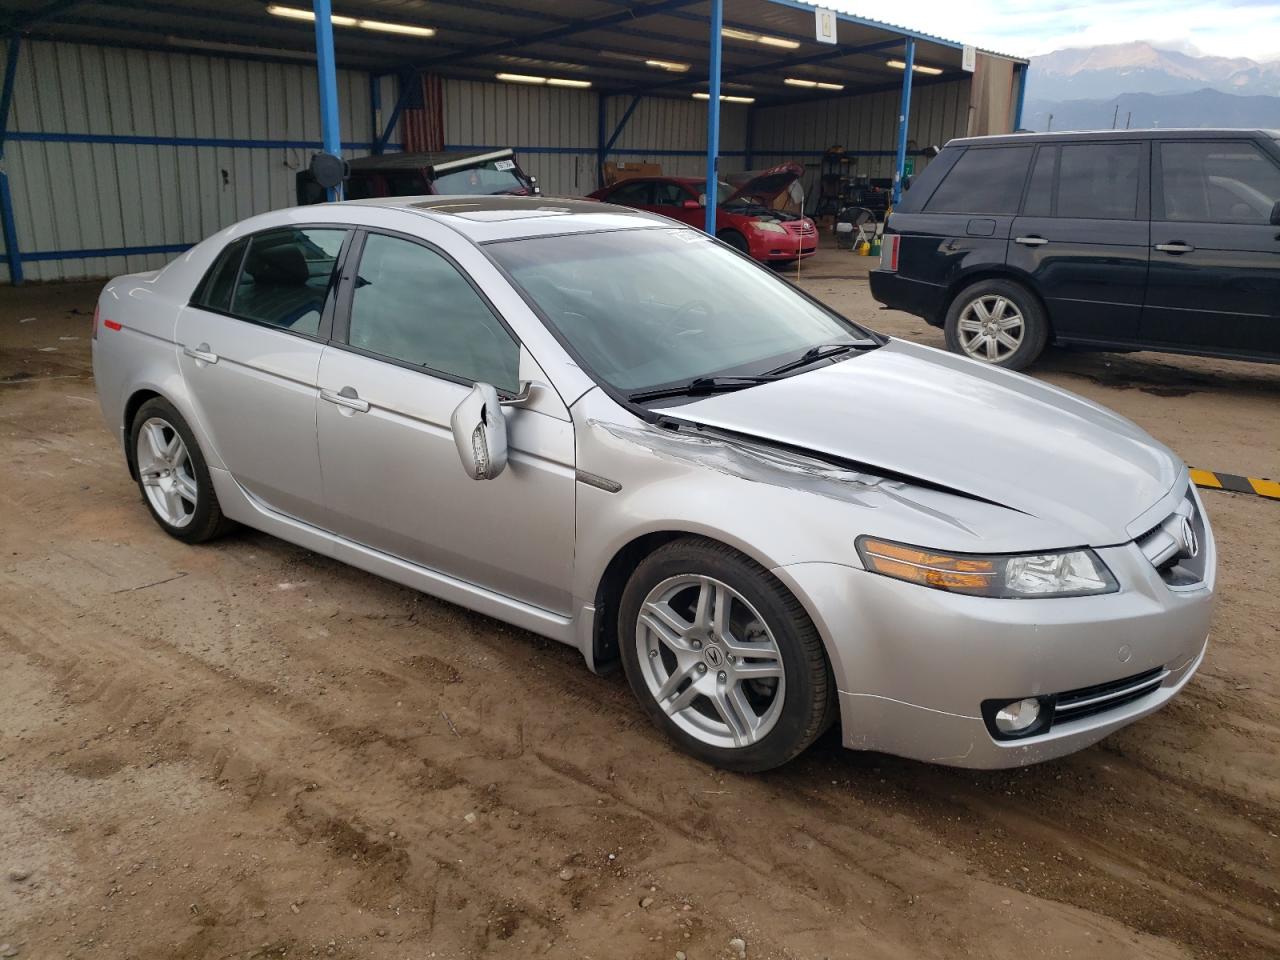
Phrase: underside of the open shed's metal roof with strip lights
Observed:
(607, 43)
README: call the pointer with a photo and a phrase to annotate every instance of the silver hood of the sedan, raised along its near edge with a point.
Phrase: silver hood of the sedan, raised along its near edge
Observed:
(956, 423)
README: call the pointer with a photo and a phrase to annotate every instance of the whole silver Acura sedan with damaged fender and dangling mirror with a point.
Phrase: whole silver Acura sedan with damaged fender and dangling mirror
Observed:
(619, 433)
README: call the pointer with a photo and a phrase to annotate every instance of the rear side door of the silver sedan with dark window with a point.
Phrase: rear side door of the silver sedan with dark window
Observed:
(252, 344)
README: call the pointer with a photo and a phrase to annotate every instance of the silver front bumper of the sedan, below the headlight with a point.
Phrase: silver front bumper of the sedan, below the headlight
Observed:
(915, 665)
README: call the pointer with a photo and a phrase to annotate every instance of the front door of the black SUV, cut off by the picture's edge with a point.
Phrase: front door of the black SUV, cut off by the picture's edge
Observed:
(1215, 260)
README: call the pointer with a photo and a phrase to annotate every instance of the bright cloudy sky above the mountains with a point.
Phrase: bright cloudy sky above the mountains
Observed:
(1032, 28)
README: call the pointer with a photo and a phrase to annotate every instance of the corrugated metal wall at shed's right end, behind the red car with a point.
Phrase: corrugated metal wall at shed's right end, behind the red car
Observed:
(866, 126)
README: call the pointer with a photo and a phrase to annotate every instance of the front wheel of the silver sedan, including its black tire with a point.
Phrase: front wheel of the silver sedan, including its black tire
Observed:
(724, 659)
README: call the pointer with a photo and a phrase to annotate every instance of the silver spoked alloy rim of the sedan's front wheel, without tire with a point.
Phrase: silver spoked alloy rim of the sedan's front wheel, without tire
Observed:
(710, 661)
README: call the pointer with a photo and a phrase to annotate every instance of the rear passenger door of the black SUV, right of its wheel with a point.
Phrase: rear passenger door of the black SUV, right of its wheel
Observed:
(1084, 237)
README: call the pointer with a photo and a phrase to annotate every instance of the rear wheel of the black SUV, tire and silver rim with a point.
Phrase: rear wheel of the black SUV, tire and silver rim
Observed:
(999, 323)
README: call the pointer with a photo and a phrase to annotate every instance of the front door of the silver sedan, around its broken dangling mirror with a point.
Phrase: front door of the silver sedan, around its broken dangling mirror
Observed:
(413, 336)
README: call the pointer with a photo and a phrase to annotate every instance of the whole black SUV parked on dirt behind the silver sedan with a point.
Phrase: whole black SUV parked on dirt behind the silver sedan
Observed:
(1121, 240)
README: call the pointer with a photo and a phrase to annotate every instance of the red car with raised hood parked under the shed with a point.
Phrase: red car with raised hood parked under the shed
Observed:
(747, 218)
